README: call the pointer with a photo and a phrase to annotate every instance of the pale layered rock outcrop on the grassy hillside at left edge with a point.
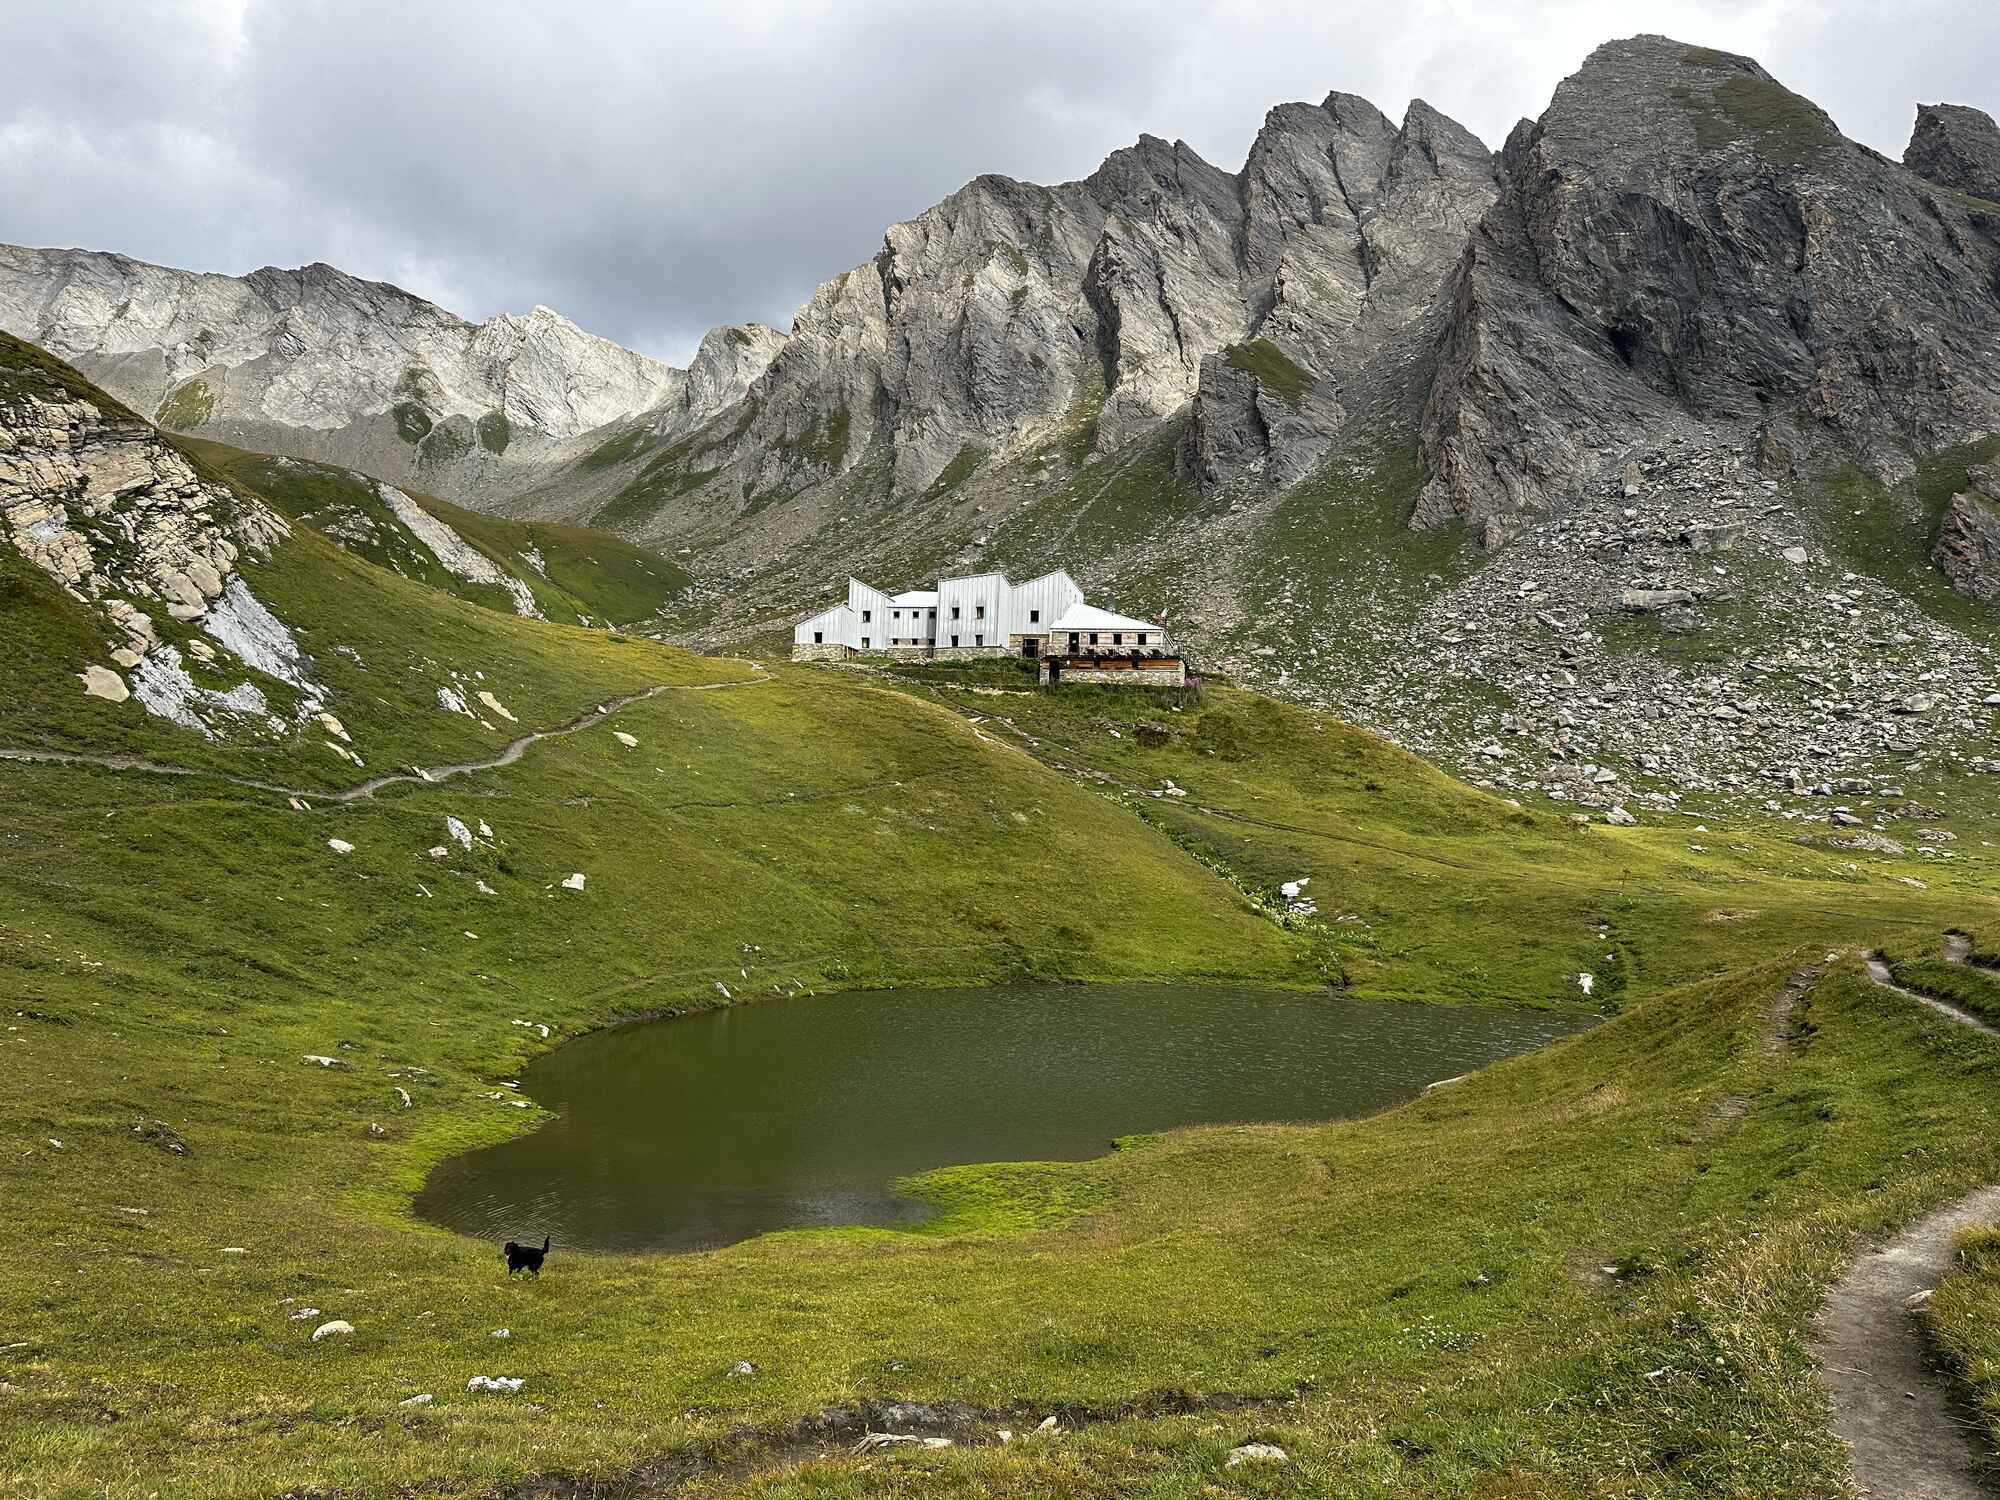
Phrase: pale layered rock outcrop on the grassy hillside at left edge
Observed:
(123, 523)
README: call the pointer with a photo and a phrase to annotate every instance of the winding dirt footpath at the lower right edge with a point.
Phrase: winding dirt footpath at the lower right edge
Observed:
(1899, 1419)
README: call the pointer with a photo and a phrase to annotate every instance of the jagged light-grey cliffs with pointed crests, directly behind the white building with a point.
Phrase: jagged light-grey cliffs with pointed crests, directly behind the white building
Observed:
(1159, 285)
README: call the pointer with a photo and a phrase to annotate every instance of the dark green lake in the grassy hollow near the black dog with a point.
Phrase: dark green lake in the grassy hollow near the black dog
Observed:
(703, 1131)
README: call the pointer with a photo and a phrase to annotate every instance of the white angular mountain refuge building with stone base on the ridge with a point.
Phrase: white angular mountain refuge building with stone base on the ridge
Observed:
(989, 615)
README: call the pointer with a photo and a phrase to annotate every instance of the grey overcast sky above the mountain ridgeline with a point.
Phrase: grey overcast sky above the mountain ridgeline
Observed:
(653, 169)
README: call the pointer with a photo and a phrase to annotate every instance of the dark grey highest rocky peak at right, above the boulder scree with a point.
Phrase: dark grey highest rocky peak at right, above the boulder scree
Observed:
(1683, 239)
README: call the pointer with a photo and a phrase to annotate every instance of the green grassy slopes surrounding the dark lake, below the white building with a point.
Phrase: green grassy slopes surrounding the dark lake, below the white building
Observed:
(1587, 1271)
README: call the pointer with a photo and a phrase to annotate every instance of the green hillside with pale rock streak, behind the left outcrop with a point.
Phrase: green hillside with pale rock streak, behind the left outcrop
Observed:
(561, 573)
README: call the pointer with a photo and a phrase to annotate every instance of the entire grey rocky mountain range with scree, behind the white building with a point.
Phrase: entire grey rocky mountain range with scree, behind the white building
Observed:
(1609, 465)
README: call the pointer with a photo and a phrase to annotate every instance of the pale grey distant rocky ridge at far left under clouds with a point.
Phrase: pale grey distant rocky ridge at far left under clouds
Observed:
(319, 365)
